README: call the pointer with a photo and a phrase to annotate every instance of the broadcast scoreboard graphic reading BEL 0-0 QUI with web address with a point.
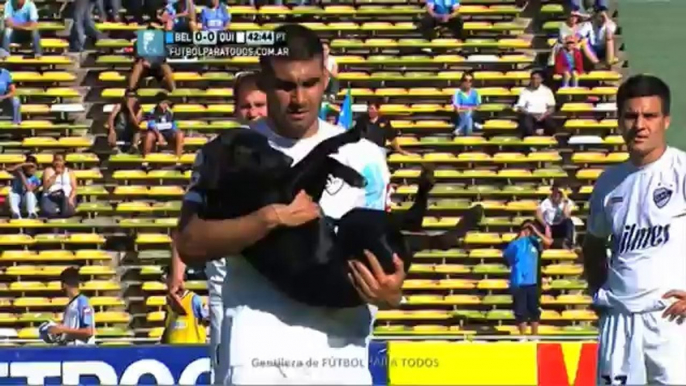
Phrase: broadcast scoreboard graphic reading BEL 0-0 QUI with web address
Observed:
(209, 44)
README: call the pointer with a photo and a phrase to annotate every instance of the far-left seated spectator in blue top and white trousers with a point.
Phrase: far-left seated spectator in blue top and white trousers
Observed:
(24, 187)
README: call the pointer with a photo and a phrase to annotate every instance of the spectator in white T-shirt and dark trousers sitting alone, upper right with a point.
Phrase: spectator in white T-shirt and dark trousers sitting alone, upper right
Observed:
(535, 107)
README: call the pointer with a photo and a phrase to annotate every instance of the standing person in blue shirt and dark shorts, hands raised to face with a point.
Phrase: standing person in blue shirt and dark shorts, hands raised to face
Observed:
(522, 255)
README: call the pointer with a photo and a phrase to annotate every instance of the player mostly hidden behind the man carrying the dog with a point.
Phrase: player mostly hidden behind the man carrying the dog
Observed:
(250, 105)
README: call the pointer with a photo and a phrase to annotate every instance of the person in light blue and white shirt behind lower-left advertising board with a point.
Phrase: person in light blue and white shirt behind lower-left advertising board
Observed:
(78, 326)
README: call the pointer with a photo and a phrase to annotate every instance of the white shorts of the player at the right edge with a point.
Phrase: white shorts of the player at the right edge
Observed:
(640, 348)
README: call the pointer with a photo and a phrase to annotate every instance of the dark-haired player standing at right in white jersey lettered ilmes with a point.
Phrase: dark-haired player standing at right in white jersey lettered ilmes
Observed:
(640, 205)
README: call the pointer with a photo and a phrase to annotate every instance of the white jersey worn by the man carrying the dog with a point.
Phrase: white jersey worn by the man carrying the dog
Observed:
(269, 329)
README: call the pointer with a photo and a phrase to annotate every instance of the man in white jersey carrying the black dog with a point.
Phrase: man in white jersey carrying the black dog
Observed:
(274, 339)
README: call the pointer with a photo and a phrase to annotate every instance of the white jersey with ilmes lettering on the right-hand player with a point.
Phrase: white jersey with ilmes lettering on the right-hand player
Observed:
(643, 210)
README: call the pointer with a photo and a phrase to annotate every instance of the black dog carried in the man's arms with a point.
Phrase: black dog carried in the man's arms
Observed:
(309, 262)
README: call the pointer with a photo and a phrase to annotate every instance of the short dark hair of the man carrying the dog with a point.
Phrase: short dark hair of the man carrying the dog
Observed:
(300, 42)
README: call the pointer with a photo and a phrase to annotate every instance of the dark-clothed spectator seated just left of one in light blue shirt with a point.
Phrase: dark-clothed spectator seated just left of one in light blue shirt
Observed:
(123, 124)
